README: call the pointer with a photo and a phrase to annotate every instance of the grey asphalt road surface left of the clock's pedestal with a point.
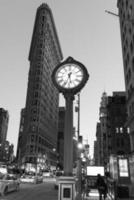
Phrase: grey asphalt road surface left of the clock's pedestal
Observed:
(42, 191)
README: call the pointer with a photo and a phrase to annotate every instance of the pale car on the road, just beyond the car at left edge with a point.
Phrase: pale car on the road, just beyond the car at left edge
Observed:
(31, 178)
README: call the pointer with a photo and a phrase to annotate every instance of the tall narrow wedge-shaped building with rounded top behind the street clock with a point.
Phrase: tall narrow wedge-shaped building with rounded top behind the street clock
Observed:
(39, 134)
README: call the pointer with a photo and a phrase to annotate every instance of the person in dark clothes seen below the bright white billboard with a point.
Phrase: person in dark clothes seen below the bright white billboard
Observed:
(102, 187)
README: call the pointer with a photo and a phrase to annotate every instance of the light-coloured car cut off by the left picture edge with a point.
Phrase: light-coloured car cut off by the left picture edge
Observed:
(8, 183)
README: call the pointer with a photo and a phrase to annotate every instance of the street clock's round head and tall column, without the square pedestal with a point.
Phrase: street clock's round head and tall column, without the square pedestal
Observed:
(69, 77)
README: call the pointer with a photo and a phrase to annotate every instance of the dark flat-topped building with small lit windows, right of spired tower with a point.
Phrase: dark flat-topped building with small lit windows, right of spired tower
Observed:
(118, 136)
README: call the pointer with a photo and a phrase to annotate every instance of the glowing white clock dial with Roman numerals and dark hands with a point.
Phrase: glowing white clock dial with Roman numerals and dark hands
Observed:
(69, 76)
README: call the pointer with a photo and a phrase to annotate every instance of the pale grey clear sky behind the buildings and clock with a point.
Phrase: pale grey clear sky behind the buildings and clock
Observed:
(86, 32)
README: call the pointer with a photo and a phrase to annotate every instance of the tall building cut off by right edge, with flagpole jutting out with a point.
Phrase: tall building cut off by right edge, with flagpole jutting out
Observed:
(126, 18)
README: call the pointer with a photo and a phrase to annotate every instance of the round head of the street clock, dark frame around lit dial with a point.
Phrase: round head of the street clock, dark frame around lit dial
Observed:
(70, 76)
